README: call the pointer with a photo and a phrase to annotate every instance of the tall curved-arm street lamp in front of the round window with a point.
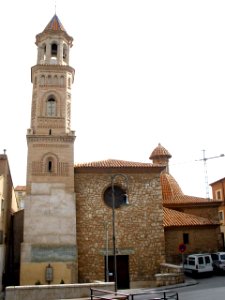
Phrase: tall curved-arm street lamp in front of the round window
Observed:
(125, 197)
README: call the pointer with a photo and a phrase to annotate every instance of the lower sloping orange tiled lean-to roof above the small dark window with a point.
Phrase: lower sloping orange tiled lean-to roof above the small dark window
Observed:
(173, 218)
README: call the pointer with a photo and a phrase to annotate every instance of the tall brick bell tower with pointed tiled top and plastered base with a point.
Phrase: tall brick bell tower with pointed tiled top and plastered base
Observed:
(49, 250)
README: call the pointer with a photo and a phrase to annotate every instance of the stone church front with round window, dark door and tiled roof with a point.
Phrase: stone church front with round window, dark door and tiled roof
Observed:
(140, 247)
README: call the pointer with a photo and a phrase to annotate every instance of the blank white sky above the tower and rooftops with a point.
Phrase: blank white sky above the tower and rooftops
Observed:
(146, 72)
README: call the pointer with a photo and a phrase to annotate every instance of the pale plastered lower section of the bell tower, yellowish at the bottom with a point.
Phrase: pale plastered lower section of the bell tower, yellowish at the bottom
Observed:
(49, 235)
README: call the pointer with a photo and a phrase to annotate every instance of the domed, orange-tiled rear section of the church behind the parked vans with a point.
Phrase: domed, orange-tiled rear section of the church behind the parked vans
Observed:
(188, 220)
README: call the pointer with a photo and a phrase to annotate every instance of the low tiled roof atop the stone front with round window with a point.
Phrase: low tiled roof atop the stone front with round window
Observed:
(115, 163)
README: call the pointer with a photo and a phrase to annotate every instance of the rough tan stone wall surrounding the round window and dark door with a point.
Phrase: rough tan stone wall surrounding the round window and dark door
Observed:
(139, 226)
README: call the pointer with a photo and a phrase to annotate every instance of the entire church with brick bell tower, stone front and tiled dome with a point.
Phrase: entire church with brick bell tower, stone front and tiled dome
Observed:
(79, 217)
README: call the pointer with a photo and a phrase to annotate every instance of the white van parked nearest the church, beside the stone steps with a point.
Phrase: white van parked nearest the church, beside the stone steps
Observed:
(198, 264)
